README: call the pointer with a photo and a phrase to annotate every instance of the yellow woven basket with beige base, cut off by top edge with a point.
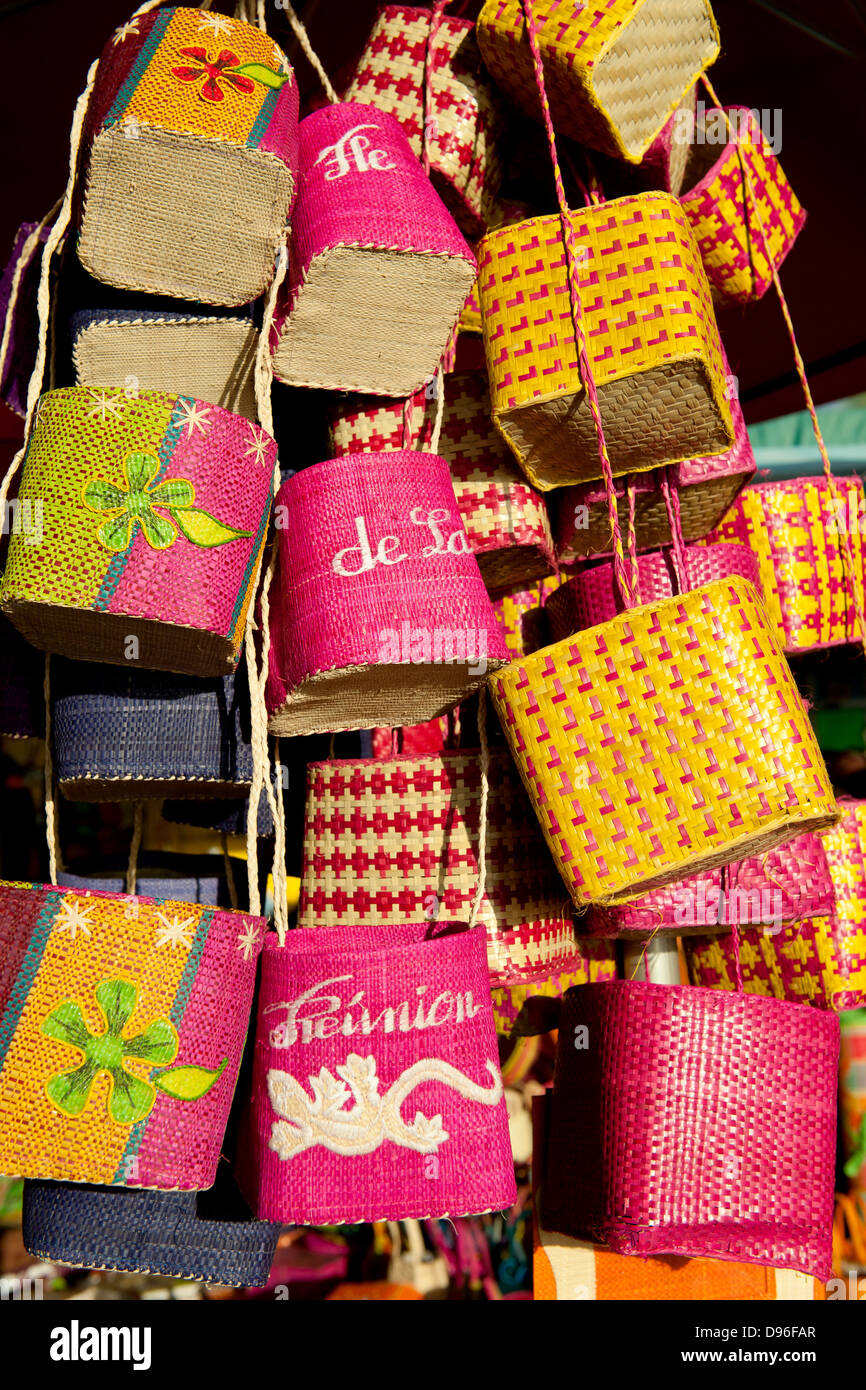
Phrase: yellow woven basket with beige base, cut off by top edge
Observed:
(615, 70)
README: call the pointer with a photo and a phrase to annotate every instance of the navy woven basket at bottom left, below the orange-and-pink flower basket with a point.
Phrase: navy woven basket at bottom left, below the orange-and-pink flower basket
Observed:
(148, 1234)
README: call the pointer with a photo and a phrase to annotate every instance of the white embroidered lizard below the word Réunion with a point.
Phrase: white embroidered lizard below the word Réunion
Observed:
(375, 1118)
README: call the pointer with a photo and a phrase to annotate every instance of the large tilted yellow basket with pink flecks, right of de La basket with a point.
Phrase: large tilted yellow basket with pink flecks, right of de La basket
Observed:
(665, 743)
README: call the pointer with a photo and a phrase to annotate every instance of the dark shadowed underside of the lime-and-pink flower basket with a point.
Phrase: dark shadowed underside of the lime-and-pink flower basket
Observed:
(88, 636)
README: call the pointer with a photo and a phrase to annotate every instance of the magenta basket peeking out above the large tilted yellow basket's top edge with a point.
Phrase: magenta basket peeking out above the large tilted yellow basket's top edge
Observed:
(593, 596)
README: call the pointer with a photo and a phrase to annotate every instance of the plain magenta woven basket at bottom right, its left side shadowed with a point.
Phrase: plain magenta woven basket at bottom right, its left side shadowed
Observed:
(690, 1122)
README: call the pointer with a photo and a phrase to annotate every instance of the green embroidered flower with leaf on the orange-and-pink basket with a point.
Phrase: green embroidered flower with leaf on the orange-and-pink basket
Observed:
(131, 1099)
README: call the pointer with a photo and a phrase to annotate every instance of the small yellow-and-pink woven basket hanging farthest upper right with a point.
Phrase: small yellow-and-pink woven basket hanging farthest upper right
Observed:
(735, 238)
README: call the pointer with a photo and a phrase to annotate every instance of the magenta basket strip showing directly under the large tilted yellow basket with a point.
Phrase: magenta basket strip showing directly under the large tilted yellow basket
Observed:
(787, 883)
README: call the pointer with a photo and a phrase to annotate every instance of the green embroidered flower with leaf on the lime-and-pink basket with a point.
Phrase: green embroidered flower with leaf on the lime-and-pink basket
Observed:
(134, 507)
